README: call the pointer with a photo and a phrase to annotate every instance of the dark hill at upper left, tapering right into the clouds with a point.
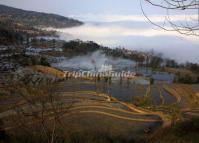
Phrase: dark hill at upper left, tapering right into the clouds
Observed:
(17, 25)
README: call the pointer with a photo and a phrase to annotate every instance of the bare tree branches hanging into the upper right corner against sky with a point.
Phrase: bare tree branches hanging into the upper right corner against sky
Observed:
(188, 21)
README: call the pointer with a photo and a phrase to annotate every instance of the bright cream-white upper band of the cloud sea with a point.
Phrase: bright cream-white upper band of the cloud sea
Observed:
(108, 31)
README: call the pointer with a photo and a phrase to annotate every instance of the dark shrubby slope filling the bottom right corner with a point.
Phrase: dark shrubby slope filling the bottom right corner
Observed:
(182, 132)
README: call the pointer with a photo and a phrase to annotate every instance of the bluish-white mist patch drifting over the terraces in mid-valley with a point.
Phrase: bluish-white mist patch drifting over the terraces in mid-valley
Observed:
(93, 61)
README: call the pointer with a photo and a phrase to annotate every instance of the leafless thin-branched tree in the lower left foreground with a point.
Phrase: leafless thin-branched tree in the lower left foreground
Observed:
(41, 111)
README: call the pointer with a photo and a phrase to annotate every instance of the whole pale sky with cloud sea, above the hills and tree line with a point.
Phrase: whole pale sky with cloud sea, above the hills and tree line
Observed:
(119, 23)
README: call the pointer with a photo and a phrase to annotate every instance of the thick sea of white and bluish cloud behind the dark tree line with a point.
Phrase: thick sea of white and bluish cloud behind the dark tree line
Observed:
(139, 36)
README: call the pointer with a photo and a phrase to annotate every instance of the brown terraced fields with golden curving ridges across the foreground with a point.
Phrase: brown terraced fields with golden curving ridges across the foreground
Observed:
(83, 106)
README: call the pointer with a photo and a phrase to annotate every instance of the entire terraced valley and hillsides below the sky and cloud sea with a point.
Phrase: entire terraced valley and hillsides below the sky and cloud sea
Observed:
(42, 101)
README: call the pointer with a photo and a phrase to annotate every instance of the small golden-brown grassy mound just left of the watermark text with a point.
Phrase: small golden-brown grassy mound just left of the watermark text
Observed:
(49, 70)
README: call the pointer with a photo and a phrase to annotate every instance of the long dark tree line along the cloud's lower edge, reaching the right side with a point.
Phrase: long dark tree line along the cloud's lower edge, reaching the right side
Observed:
(142, 59)
